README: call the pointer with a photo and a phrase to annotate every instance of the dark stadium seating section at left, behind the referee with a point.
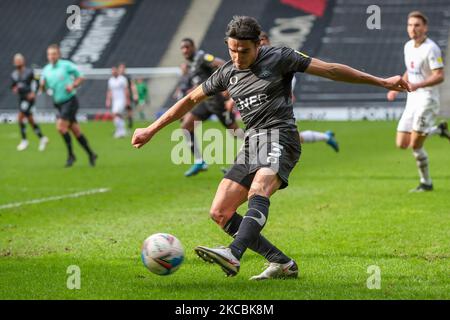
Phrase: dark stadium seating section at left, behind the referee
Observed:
(140, 39)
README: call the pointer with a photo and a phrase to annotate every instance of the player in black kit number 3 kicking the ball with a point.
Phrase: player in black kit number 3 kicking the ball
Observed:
(258, 79)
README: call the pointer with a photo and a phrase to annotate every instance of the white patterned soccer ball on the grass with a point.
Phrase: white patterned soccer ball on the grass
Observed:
(162, 254)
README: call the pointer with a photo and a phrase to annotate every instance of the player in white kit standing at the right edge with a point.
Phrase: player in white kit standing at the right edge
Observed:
(424, 71)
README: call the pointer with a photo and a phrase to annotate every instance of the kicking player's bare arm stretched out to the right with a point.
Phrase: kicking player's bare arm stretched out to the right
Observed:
(341, 72)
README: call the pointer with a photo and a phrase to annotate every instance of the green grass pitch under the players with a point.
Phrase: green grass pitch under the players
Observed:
(341, 214)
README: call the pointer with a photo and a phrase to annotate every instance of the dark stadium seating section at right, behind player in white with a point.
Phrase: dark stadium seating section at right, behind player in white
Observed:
(345, 41)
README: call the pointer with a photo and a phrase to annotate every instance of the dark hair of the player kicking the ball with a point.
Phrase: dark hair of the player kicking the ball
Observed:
(243, 28)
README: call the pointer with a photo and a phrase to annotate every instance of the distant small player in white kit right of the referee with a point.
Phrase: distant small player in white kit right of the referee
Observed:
(117, 98)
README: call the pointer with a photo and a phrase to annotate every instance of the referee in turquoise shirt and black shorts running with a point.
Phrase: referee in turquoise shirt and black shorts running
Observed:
(61, 78)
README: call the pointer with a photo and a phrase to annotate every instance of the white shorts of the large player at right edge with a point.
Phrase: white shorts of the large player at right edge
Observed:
(420, 113)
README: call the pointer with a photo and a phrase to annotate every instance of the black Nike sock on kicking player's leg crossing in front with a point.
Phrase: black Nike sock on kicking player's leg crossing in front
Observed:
(251, 225)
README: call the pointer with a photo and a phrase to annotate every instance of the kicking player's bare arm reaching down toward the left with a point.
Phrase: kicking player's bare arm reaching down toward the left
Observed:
(143, 135)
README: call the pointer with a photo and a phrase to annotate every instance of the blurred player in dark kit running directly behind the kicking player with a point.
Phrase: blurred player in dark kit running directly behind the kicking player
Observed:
(199, 66)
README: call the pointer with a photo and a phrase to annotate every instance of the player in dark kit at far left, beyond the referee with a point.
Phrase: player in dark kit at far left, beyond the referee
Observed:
(25, 85)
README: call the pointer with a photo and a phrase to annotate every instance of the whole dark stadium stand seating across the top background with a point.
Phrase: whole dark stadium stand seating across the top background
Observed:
(333, 30)
